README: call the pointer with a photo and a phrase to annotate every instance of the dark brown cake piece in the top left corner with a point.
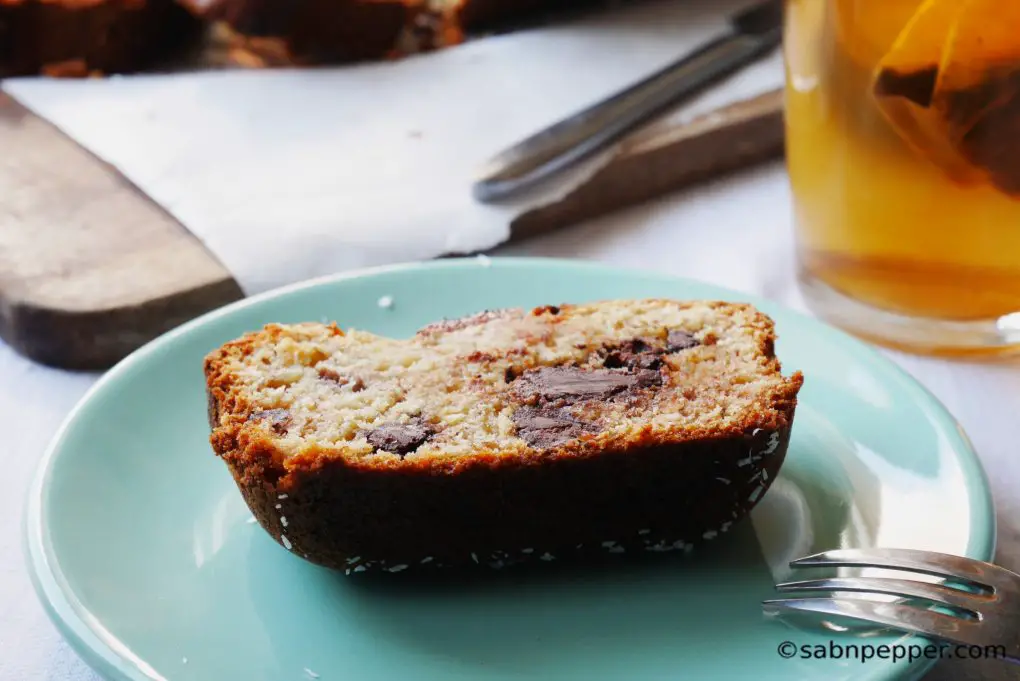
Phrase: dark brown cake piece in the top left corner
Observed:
(80, 38)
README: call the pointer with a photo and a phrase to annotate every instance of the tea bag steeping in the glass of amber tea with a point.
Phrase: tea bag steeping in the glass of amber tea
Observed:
(951, 88)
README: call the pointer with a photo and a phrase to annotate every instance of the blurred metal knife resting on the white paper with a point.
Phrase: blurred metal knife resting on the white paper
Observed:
(754, 34)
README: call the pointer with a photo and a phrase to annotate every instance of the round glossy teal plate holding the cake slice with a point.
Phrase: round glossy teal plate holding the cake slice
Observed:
(142, 552)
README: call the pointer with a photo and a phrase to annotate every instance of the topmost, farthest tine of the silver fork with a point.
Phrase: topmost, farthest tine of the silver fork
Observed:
(939, 565)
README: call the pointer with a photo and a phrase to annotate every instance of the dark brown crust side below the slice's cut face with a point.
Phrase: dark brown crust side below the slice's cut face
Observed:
(653, 499)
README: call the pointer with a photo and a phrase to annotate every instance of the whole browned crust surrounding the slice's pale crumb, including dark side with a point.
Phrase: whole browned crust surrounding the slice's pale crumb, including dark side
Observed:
(320, 502)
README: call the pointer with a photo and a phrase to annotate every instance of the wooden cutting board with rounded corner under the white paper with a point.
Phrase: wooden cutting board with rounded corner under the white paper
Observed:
(91, 269)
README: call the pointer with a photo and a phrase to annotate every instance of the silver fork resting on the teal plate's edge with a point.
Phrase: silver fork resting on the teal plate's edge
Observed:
(981, 601)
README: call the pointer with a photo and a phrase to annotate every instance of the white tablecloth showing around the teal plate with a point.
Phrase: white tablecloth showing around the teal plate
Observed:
(735, 233)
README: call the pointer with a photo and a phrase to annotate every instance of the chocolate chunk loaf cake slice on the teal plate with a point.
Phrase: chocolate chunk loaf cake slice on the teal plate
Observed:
(643, 426)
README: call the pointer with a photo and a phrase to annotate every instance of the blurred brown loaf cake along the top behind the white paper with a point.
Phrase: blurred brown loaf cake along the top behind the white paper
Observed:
(72, 38)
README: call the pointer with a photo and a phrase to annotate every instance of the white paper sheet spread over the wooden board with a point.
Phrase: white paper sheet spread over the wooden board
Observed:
(296, 174)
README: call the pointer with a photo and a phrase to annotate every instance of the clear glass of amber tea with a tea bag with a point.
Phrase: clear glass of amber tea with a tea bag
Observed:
(903, 147)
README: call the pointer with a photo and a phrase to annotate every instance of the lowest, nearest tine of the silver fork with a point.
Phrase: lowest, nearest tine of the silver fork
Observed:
(896, 616)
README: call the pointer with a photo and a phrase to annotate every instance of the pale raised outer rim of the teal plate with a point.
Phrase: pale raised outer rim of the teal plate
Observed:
(103, 652)
